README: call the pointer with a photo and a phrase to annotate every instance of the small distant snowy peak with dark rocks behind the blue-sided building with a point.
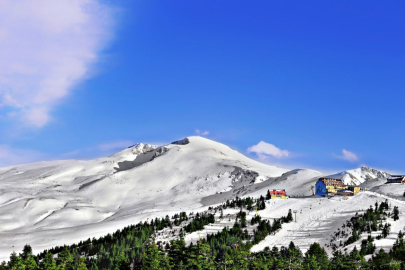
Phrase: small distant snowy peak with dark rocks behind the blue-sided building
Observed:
(360, 175)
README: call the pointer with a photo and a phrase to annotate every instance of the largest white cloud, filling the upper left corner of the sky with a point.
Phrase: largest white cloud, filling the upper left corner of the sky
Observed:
(47, 47)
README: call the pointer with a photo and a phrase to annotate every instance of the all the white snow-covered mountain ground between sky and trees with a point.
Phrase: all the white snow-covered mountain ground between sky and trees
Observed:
(63, 202)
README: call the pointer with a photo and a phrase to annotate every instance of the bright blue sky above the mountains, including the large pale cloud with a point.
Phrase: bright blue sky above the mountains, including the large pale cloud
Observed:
(320, 83)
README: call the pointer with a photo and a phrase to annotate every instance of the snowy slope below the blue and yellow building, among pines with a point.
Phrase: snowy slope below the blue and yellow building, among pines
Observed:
(319, 218)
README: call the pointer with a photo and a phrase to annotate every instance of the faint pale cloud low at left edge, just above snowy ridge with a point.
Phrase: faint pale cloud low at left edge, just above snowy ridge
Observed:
(10, 156)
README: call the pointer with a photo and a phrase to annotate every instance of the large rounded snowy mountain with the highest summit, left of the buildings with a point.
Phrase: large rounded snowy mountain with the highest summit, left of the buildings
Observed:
(61, 202)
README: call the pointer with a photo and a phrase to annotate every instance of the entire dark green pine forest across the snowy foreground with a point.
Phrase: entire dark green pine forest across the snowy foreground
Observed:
(134, 247)
